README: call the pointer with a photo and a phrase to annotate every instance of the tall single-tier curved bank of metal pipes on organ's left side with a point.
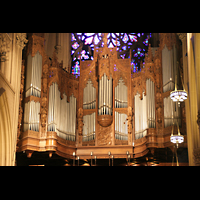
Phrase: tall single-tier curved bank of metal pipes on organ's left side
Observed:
(61, 114)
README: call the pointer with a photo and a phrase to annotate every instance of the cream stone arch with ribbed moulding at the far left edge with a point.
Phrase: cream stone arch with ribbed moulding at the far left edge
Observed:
(5, 130)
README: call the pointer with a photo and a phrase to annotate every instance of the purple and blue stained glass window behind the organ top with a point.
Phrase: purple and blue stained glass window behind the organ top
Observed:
(83, 44)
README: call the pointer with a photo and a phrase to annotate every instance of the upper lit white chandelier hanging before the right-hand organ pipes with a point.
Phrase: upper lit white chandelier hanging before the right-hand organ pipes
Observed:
(178, 95)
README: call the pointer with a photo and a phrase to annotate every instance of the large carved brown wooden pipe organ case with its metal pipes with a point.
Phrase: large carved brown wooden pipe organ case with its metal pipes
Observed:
(100, 111)
